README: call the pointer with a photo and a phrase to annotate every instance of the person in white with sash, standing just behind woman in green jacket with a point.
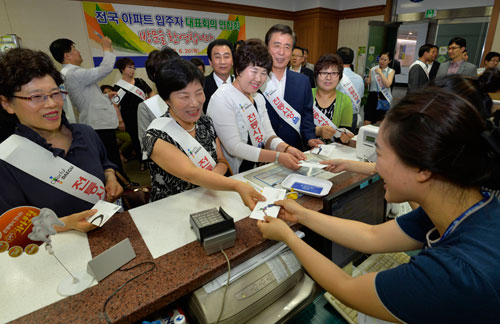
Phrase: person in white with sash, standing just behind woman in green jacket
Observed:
(354, 87)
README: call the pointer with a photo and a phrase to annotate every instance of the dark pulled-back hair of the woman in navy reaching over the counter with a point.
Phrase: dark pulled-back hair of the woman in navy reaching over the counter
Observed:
(439, 131)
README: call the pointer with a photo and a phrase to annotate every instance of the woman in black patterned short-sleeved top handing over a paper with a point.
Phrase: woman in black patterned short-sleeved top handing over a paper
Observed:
(184, 146)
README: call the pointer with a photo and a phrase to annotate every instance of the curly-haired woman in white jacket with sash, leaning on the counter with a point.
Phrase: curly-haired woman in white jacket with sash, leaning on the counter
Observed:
(240, 117)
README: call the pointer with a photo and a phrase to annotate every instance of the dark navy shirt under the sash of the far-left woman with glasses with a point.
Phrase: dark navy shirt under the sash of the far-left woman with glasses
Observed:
(21, 189)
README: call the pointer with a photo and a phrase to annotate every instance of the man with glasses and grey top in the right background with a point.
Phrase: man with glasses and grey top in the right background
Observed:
(457, 65)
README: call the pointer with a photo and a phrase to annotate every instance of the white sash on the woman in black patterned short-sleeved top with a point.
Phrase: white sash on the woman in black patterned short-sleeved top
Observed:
(194, 150)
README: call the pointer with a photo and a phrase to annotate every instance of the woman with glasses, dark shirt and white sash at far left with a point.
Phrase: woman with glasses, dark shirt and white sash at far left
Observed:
(48, 162)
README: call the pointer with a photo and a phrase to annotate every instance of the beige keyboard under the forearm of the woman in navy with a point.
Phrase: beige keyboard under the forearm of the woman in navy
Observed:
(374, 263)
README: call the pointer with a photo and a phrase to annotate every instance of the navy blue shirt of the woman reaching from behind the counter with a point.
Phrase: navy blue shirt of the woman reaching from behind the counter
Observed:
(455, 280)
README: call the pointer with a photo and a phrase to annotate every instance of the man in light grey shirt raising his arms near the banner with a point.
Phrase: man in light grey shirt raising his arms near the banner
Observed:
(95, 109)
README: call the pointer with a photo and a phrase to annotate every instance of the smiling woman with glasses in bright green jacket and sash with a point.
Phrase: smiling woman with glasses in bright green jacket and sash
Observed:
(332, 109)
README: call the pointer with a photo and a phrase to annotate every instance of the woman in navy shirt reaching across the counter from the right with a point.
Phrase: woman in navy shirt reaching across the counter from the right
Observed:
(432, 148)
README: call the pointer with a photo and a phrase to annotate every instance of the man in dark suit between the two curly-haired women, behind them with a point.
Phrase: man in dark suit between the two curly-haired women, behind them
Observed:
(220, 56)
